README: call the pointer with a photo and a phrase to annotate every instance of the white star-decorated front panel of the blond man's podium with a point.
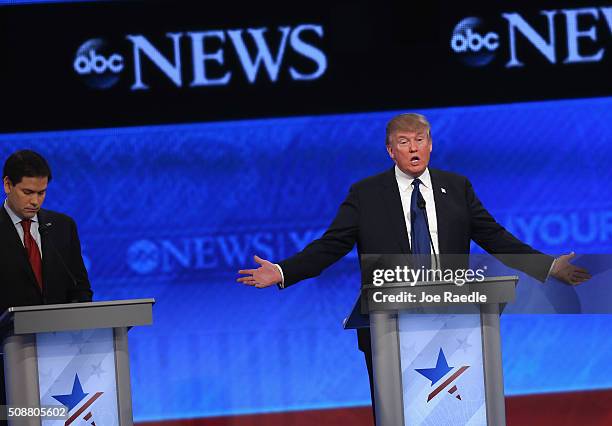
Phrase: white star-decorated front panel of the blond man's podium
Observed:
(442, 369)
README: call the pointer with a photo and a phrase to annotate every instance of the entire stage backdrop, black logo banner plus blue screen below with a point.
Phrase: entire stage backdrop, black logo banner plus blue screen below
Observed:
(184, 139)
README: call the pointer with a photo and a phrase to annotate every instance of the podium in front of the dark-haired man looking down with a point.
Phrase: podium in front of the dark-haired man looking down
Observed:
(72, 355)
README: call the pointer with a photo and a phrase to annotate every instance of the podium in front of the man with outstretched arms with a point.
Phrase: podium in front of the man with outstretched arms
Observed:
(436, 359)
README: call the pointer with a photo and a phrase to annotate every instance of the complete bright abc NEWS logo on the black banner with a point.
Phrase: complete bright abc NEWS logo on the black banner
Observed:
(255, 52)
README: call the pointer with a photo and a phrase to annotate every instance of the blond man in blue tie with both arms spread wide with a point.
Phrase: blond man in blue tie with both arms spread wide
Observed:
(381, 217)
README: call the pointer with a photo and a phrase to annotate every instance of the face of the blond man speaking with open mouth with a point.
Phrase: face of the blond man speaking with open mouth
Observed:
(410, 150)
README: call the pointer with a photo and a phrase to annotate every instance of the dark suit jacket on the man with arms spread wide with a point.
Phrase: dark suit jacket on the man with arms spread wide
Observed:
(372, 217)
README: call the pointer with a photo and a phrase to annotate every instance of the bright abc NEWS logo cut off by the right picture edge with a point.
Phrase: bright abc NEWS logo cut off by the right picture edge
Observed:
(560, 36)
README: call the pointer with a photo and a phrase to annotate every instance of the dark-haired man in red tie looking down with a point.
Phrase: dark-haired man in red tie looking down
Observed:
(41, 260)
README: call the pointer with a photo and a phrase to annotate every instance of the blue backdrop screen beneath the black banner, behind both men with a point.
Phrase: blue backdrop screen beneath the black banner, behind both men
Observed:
(172, 212)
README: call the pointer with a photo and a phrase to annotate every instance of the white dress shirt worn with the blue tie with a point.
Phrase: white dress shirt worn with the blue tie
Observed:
(404, 182)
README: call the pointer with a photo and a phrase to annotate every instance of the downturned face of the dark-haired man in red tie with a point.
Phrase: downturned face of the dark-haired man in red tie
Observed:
(26, 198)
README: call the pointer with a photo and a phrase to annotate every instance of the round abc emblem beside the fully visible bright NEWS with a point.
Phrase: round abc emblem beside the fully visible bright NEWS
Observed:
(97, 65)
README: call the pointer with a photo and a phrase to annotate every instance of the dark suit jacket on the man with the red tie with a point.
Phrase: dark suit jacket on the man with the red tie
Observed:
(18, 285)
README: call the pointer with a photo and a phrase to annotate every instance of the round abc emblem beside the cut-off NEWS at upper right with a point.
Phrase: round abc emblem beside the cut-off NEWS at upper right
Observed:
(472, 43)
